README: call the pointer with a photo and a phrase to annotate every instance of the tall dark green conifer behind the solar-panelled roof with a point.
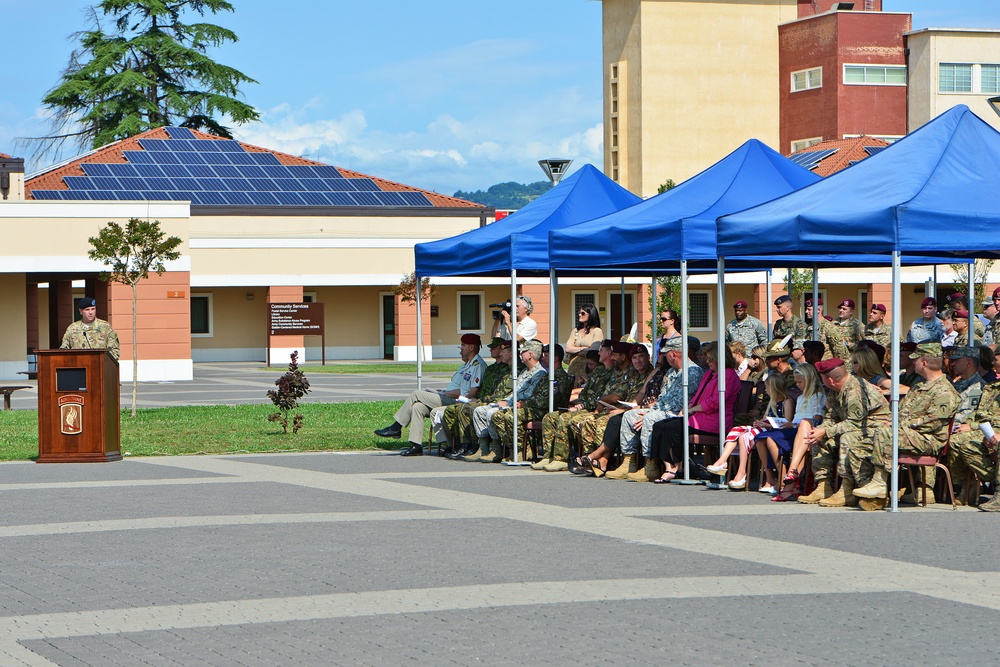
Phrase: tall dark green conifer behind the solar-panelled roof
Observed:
(151, 70)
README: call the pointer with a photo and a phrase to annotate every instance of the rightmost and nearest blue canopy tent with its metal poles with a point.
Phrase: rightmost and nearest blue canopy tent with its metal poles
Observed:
(935, 191)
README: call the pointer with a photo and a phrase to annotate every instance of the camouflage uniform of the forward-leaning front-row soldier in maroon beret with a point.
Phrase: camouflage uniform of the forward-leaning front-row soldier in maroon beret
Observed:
(852, 420)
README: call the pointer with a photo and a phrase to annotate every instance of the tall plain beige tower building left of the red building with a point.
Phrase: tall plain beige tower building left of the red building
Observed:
(686, 83)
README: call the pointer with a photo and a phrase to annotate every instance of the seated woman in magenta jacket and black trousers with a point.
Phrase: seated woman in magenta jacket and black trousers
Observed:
(703, 415)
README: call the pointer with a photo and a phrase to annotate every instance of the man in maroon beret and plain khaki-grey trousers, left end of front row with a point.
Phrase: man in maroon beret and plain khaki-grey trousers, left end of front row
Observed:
(464, 383)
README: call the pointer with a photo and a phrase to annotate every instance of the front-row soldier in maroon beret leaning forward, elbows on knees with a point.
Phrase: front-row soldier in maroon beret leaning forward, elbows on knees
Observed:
(855, 412)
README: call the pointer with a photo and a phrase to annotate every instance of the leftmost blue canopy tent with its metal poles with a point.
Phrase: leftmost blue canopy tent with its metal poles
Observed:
(519, 242)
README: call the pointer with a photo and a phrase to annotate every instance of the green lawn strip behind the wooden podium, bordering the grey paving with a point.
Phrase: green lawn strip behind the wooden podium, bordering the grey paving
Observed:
(221, 429)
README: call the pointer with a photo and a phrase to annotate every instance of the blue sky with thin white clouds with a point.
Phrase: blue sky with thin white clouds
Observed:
(439, 94)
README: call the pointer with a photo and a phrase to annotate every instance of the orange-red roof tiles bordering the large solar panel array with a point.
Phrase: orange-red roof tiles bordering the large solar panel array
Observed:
(113, 153)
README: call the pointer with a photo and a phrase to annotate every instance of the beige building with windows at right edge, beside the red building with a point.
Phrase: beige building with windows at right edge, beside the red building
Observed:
(950, 66)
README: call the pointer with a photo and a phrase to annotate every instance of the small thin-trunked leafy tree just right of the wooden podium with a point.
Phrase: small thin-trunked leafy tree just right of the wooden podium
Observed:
(131, 253)
